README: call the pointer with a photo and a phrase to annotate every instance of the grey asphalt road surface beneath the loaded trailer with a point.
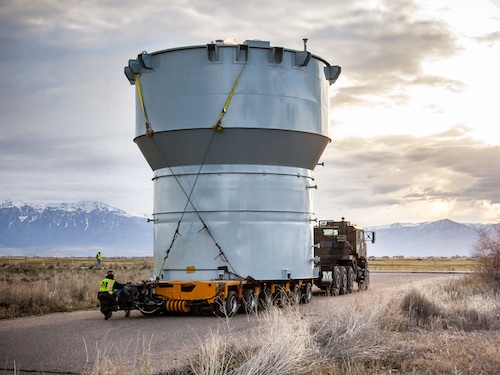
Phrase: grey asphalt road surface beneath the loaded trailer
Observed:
(70, 343)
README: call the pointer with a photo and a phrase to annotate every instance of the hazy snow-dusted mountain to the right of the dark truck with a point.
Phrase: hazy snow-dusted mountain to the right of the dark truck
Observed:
(435, 238)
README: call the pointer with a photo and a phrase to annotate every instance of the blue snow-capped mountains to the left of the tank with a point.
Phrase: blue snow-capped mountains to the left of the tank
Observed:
(72, 229)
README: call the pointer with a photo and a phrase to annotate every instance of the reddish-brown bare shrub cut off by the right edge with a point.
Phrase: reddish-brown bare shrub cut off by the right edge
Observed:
(487, 252)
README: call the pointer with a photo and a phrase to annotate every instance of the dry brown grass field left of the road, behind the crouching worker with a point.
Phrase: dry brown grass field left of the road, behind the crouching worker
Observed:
(37, 286)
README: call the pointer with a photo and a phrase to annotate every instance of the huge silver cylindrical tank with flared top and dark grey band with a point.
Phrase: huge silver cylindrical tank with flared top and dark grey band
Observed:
(232, 133)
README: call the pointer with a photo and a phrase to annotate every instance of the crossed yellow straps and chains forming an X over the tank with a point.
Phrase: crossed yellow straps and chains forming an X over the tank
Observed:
(217, 128)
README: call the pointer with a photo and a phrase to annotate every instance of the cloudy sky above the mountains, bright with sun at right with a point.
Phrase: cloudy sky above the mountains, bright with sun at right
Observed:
(414, 116)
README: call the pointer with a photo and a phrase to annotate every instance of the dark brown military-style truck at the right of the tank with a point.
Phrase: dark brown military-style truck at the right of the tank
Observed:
(342, 252)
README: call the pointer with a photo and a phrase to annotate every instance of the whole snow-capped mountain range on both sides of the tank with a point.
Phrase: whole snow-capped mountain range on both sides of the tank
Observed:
(82, 229)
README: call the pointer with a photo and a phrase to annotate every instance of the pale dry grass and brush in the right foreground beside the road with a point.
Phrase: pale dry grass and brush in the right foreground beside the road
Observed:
(451, 327)
